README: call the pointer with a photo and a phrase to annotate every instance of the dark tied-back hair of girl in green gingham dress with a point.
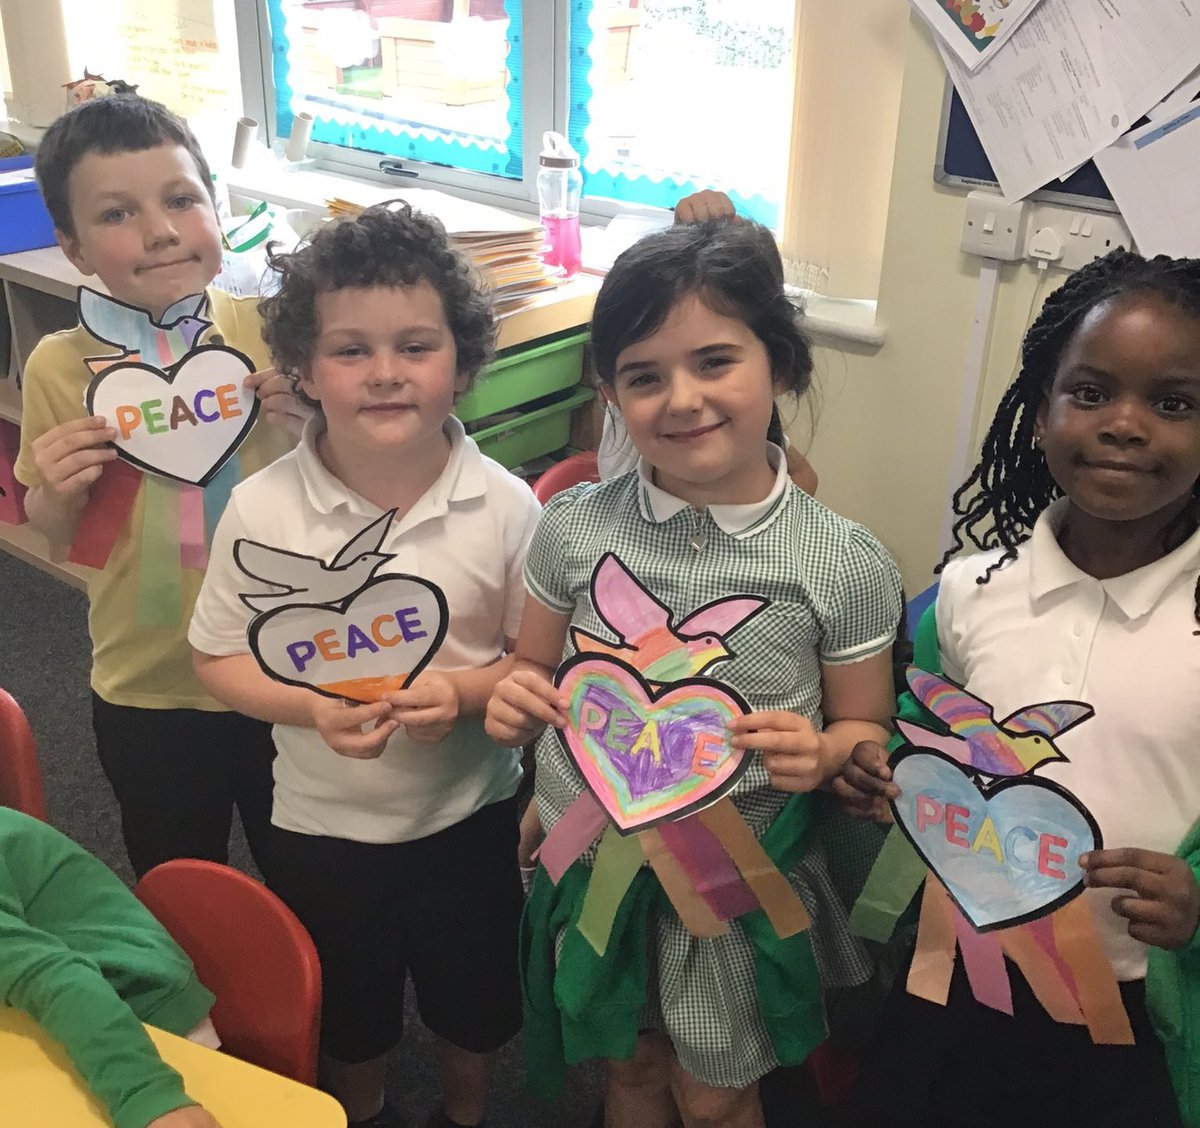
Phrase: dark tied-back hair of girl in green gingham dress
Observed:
(734, 268)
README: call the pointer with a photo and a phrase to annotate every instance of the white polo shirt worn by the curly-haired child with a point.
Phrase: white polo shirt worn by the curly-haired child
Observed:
(469, 535)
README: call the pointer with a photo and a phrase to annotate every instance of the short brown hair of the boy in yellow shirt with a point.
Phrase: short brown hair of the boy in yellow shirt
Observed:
(119, 123)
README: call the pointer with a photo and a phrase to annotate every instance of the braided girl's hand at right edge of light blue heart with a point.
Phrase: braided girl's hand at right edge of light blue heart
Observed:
(1165, 908)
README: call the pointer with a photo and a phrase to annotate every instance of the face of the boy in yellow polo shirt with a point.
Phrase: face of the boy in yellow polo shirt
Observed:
(145, 224)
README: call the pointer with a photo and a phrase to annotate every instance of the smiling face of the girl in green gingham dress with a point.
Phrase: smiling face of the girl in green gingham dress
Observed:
(697, 399)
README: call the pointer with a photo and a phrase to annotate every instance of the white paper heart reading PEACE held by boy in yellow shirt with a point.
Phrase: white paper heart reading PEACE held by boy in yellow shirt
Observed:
(183, 423)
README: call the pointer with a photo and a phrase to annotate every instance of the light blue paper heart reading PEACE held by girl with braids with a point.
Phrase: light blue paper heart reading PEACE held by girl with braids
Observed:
(1007, 853)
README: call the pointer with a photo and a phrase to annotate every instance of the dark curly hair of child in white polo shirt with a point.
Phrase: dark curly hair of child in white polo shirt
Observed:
(388, 245)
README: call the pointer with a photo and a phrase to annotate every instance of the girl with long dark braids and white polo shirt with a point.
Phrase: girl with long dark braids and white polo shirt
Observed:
(1087, 507)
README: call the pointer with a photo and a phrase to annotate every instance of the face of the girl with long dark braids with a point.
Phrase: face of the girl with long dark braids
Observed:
(1121, 424)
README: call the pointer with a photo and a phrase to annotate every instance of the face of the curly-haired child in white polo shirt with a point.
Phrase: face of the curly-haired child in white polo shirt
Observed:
(385, 369)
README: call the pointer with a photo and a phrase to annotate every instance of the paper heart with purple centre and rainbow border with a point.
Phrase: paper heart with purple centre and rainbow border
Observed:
(650, 758)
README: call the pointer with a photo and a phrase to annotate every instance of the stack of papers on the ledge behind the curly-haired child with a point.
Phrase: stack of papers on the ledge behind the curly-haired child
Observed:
(506, 249)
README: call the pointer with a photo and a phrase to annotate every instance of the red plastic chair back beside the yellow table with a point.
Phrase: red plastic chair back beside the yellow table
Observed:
(253, 953)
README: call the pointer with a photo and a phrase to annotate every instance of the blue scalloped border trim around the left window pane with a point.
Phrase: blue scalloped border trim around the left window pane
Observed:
(457, 151)
